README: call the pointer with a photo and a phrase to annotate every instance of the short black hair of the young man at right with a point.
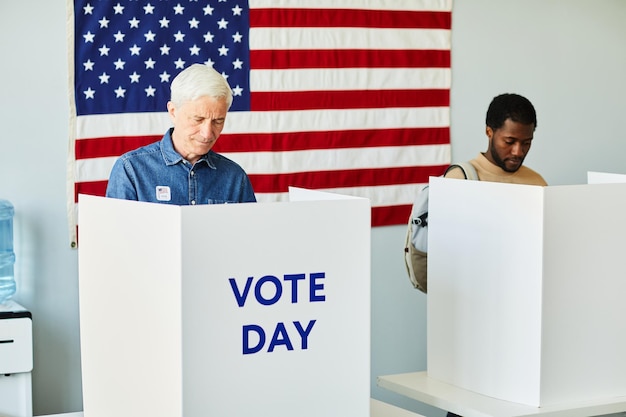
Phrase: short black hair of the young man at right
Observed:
(510, 106)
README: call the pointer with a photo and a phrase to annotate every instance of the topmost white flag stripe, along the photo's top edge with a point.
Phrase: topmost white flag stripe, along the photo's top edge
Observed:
(403, 5)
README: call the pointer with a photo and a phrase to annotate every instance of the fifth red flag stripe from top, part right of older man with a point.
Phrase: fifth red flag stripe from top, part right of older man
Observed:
(278, 183)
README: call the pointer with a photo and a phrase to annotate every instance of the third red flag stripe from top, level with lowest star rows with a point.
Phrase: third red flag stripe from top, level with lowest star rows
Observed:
(360, 99)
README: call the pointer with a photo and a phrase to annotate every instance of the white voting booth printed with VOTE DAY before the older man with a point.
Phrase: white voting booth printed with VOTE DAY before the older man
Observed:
(225, 310)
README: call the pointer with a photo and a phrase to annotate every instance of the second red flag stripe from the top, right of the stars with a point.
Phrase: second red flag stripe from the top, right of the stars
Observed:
(348, 58)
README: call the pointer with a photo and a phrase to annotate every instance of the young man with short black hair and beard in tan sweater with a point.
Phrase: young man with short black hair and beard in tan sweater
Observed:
(511, 122)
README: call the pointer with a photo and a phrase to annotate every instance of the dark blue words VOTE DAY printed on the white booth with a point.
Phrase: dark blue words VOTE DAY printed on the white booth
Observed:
(269, 290)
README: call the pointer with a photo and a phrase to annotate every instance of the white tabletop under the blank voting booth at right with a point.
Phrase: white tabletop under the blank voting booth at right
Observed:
(419, 386)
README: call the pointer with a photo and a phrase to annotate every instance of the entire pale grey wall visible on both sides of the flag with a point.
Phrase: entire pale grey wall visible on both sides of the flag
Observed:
(566, 56)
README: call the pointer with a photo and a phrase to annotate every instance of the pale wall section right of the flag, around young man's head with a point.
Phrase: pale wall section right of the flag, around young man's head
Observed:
(567, 57)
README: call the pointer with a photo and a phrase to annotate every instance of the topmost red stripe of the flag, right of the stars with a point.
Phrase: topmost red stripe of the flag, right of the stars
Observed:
(395, 19)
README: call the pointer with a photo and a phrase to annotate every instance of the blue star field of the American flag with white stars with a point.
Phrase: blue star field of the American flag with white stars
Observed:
(134, 34)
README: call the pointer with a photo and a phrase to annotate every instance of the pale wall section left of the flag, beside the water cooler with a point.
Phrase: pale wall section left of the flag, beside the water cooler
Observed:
(33, 153)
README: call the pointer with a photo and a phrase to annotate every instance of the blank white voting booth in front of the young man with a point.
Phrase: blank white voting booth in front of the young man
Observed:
(525, 291)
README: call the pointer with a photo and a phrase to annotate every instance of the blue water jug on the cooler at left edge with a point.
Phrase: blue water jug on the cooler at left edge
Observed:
(7, 257)
